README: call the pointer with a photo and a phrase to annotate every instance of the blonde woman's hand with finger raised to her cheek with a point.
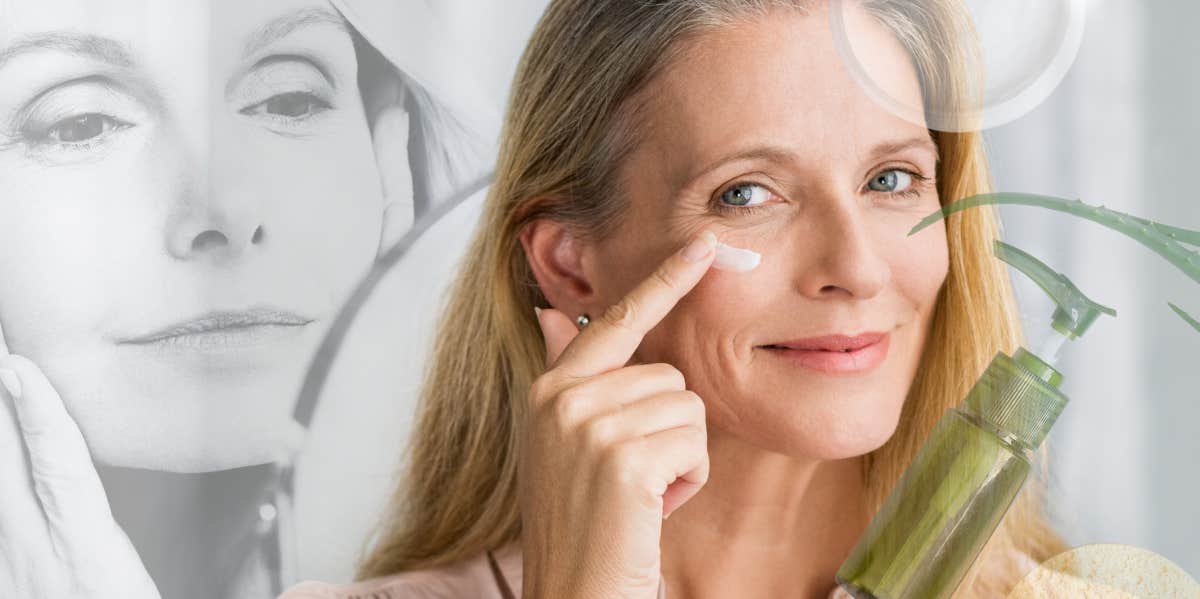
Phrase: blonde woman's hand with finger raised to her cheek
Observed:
(610, 451)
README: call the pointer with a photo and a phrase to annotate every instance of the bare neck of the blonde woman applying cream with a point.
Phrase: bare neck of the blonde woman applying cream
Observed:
(765, 525)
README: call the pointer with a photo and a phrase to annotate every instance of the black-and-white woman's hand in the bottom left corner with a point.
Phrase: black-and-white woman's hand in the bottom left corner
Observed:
(58, 537)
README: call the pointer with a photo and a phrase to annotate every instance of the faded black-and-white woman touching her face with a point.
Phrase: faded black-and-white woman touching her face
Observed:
(189, 194)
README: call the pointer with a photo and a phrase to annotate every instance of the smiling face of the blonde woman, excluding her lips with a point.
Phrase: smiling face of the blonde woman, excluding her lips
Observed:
(759, 134)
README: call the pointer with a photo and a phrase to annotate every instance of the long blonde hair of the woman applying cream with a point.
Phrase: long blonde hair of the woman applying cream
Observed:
(571, 122)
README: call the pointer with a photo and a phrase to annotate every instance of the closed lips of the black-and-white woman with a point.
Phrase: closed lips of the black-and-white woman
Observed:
(226, 330)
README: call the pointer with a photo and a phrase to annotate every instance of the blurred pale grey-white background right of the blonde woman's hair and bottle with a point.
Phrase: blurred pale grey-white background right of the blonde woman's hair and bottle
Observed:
(1120, 131)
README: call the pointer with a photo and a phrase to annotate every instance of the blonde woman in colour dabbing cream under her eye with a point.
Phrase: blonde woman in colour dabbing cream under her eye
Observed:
(551, 447)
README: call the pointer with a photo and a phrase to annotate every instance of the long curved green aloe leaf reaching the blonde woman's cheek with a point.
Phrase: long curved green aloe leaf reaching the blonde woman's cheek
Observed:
(1162, 239)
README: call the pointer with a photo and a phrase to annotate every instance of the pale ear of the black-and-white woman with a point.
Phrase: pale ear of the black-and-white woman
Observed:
(391, 141)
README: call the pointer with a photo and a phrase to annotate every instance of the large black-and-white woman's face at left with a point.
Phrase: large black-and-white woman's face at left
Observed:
(188, 193)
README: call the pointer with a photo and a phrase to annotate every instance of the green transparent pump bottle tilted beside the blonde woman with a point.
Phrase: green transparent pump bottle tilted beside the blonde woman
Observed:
(962, 483)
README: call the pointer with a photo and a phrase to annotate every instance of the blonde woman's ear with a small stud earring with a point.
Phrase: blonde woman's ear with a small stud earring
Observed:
(560, 262)
